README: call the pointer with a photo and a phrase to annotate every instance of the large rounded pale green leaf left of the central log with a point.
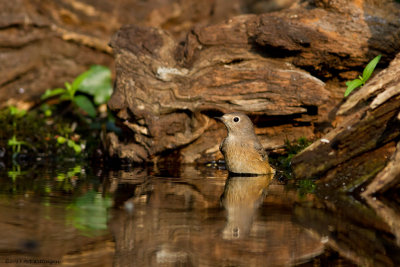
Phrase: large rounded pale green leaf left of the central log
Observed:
(97, 83)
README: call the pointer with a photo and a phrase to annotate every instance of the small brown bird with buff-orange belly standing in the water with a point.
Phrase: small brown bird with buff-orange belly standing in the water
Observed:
(242, 150)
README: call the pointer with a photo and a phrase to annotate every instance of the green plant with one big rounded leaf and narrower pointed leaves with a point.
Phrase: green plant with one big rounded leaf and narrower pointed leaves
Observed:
(95, 82)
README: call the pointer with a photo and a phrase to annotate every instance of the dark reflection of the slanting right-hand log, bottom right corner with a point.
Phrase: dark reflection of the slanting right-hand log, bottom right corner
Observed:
(352, 229)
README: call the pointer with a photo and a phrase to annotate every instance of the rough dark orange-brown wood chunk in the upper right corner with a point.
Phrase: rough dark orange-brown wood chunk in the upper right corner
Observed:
(332, 37)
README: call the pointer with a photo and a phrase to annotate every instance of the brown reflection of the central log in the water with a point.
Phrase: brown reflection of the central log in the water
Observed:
(179, 223)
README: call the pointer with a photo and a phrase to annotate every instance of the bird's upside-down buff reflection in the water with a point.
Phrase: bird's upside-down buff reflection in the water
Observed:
(241, 198)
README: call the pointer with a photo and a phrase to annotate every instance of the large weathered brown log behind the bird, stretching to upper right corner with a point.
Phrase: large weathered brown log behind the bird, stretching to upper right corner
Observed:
(166, 93)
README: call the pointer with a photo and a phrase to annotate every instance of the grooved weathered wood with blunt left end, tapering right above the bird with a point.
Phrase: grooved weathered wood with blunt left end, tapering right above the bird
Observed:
(167, 106)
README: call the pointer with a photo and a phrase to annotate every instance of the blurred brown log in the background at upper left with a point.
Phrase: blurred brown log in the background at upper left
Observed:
(45, 43)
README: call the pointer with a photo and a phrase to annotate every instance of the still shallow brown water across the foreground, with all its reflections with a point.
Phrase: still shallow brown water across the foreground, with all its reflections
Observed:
(185, 216)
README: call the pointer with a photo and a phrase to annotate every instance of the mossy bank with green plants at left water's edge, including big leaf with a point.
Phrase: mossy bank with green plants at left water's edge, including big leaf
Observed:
(67, 124)
